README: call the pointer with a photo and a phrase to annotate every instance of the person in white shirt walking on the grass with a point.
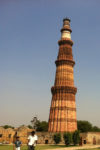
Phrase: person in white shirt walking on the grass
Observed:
(32, 141)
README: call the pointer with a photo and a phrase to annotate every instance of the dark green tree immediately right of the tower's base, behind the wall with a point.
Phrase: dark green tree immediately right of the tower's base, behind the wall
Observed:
(84, 126)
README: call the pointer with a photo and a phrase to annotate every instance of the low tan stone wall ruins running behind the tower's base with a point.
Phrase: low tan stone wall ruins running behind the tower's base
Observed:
(8, 136)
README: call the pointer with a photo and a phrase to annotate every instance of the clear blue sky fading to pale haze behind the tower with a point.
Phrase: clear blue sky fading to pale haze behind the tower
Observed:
(29, 34)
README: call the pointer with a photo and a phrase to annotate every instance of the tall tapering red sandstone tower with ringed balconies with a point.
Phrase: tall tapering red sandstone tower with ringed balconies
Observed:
(62, 116)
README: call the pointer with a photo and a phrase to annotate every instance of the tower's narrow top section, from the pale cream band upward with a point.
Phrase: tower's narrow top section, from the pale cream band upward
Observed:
(66, 30)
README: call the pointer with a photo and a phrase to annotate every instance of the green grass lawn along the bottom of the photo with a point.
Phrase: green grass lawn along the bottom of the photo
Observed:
(38, 147)
